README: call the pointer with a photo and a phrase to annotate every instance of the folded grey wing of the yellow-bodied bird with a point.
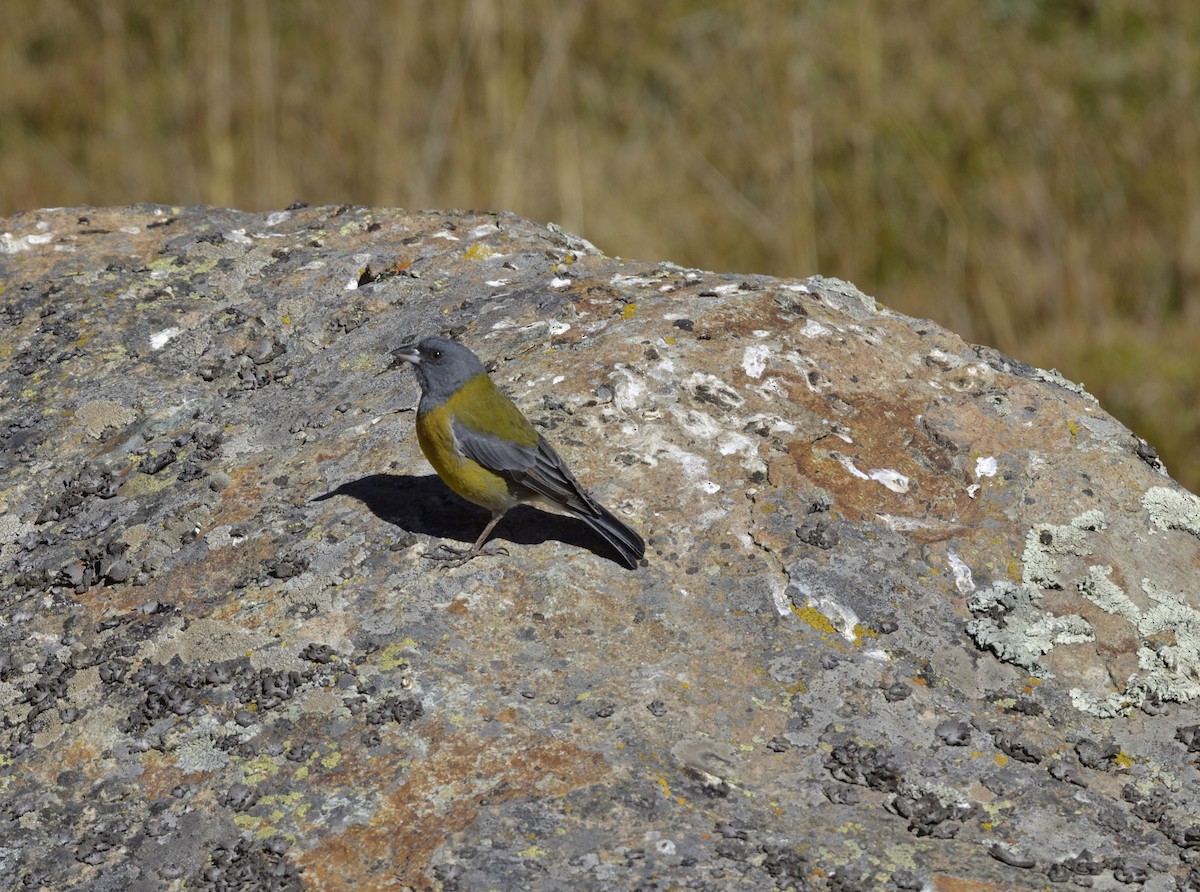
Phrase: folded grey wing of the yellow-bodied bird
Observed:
(537, 469)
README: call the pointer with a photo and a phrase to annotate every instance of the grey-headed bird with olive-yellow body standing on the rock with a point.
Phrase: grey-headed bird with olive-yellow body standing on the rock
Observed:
(488, 452)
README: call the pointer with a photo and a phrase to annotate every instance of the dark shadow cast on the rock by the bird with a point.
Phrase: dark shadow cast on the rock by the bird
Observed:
(427, 506)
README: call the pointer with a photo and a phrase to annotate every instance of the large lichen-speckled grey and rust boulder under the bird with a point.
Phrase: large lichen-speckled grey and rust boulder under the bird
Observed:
(914, 615)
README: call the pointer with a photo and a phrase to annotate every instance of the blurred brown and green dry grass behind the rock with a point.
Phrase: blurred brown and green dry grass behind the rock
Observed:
(1025, 172)
